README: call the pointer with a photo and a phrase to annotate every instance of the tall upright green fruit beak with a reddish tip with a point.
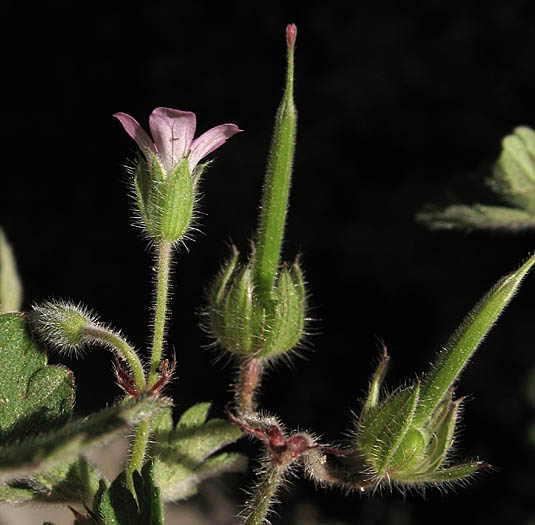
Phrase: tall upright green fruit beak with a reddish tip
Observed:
(274, 203)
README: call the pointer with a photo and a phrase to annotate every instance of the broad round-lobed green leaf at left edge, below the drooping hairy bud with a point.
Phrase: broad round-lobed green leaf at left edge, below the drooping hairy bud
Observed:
(34, 397)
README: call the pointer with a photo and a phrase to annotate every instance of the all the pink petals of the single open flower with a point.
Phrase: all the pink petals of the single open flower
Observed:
(172, 131)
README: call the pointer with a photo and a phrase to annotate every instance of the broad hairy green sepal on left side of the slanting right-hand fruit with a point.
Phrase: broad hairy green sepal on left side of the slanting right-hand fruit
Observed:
(382, 428)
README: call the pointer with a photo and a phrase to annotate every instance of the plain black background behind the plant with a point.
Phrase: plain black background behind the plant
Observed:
(398, 107)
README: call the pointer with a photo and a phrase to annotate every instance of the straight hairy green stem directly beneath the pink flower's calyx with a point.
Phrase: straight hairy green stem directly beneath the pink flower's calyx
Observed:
(160, 313)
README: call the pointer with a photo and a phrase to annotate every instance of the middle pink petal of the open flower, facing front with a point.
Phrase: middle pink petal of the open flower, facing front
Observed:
(172, 131)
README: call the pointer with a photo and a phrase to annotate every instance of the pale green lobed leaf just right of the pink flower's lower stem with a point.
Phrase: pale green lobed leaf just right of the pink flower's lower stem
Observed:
(186, 453)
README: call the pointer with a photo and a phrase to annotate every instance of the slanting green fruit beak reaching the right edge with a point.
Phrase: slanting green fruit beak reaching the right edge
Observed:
(465, 340)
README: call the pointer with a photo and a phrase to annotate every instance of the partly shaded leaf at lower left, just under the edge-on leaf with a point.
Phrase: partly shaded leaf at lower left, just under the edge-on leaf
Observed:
(75, 482)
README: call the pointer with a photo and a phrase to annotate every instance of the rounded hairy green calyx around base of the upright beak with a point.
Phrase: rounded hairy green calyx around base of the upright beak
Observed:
(243, 323)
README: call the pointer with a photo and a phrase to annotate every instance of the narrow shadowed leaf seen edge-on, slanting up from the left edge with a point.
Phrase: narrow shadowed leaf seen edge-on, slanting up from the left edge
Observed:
(44, 450)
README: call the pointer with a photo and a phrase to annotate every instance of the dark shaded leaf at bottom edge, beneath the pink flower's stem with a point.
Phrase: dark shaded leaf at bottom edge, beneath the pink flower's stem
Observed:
(117, 506)
